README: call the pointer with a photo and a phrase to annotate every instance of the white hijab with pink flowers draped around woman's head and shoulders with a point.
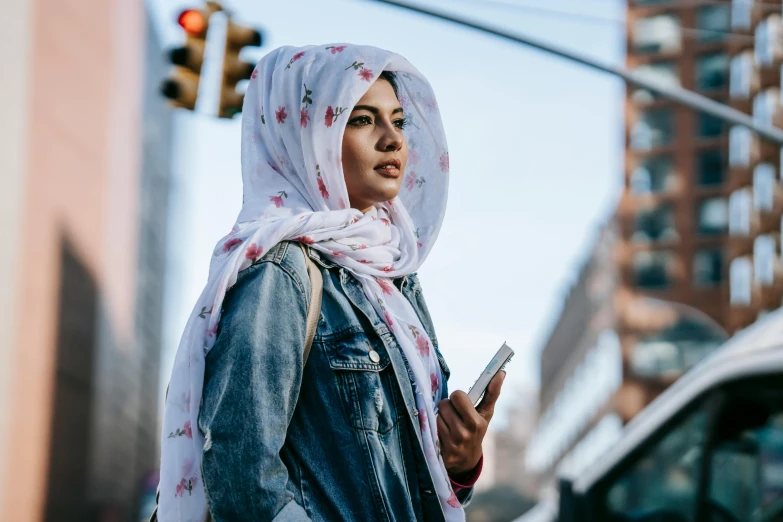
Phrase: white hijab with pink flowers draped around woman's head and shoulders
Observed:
(294, 116)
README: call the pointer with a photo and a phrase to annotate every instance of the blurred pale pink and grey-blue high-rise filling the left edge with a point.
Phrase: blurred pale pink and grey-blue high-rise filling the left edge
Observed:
(84, 160)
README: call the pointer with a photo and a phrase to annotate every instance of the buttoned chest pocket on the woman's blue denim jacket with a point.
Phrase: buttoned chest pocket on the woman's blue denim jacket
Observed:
(365, 382)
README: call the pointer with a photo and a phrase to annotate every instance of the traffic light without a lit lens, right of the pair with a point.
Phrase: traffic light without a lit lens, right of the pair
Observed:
(234, 69)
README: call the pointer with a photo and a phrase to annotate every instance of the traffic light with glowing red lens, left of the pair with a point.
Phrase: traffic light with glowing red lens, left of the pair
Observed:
(181, 87)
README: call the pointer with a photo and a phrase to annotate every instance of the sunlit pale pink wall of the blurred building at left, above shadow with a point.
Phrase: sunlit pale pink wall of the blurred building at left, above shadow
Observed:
(83, 166)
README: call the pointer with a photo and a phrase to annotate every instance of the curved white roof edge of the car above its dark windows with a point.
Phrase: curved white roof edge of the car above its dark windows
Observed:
(756, 350)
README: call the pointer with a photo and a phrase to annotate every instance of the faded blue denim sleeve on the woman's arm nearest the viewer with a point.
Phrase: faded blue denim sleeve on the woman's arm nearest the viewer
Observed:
(251, 385)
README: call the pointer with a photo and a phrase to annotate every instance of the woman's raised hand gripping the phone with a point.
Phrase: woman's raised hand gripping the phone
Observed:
(461, 427)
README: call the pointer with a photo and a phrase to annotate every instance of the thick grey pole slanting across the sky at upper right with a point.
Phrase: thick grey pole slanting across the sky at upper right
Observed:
(678, 94)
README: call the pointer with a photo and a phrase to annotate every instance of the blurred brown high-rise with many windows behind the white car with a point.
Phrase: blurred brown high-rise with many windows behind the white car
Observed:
(693, 251)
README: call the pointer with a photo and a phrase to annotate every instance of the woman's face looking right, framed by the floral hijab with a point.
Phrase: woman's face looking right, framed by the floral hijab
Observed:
(374, 150)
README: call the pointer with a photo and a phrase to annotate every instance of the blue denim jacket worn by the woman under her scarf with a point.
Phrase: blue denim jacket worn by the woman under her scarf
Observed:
(337, 439)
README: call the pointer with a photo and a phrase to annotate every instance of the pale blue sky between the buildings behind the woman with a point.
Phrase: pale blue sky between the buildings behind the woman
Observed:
(536, 150)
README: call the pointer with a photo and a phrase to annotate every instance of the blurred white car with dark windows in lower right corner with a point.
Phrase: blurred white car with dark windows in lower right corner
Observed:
(709, 449)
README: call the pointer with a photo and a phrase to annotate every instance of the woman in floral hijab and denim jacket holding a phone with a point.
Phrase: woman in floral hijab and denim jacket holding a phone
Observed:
(352, 434)
